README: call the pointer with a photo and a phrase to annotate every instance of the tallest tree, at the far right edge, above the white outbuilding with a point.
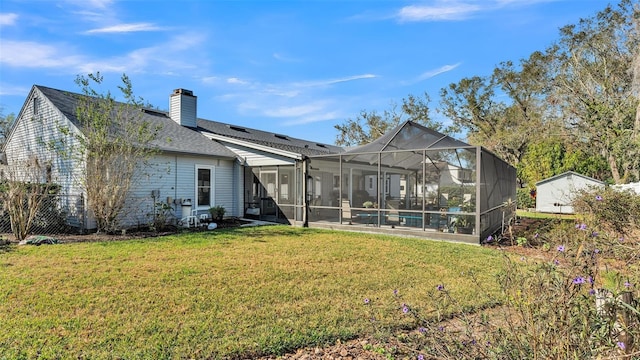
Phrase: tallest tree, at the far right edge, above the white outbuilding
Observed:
(592, 87)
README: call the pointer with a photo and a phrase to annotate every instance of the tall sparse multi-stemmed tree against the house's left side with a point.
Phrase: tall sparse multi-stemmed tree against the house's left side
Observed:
(114, 145)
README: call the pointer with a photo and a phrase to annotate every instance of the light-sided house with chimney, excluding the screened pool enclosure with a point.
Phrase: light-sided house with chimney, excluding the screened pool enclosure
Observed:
(200, 163)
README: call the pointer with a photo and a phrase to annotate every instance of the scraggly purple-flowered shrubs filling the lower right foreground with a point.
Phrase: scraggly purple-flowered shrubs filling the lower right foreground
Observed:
(572, 304)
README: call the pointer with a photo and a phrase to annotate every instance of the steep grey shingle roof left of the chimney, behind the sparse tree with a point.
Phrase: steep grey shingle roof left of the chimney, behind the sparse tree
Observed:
(171, 137)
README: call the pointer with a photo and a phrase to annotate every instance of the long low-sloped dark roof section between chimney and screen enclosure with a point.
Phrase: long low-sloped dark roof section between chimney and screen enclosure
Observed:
(274, 140)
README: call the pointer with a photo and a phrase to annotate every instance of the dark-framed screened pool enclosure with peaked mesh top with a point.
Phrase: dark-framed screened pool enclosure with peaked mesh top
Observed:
(413, 181)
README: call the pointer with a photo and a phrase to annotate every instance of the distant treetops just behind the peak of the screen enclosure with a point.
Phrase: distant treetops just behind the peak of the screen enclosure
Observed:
(370, 125)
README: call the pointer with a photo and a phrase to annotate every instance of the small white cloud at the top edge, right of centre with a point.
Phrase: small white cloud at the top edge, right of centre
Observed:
(444, 12)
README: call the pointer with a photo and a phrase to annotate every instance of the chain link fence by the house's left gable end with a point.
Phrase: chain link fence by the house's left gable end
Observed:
(58, 214)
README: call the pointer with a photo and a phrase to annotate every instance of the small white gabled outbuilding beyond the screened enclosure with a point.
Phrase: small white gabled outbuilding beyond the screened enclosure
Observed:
(555, 194)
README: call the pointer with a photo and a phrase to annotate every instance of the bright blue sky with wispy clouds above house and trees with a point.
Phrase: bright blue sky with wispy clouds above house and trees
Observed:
(292, 67)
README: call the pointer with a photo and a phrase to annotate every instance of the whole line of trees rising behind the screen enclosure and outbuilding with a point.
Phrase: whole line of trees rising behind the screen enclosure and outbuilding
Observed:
(572, 106)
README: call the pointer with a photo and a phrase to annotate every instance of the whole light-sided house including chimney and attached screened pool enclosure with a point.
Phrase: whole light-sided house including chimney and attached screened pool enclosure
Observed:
(412, 180)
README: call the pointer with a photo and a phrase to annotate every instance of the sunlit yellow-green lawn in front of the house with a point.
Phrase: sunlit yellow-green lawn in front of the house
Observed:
(224, 294)
